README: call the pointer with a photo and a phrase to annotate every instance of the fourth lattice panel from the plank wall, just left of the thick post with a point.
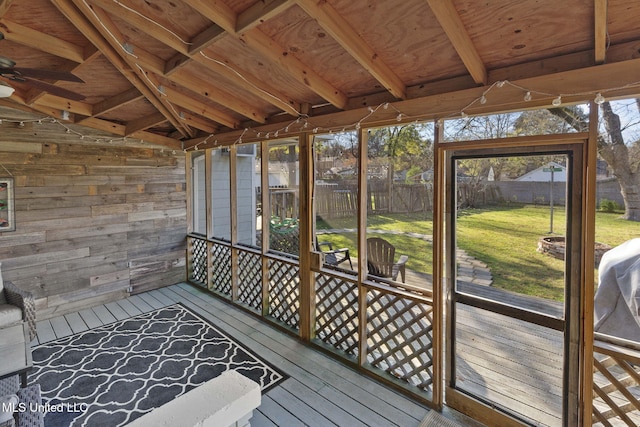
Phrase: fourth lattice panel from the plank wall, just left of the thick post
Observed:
(284, 292)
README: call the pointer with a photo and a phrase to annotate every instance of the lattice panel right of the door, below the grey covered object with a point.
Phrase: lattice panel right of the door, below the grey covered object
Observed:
(616, 386)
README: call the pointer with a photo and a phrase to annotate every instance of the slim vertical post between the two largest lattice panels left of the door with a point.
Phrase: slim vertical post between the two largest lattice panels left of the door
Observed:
(363, 142)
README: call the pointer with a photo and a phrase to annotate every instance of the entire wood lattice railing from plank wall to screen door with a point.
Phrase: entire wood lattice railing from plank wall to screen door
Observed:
(398, 332)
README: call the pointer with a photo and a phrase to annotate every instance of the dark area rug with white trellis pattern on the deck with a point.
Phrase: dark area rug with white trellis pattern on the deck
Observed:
(114, 374)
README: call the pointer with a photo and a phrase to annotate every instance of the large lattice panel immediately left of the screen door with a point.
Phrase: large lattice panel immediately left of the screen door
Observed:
(399, 337)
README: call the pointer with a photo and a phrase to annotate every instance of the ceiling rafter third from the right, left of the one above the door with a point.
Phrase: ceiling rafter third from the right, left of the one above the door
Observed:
(350, 40)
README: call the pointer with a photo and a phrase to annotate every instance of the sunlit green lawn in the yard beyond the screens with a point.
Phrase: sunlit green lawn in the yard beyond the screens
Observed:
(504, 237)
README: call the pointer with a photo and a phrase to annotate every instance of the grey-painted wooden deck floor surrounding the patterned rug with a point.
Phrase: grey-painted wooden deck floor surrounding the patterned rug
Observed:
(320, 391)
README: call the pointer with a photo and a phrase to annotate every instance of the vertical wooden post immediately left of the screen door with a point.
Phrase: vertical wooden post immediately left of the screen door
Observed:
(439, 197)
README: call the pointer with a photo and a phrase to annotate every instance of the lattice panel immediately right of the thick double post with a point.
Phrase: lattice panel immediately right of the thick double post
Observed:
(337, 313)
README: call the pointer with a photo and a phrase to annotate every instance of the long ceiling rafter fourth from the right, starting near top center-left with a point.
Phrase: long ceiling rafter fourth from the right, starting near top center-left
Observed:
(259, 42)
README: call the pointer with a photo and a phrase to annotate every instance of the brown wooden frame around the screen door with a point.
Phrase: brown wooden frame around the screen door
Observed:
(574, 145)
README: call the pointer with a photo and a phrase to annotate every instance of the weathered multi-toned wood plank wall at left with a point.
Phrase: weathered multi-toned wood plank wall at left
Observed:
(95, 221)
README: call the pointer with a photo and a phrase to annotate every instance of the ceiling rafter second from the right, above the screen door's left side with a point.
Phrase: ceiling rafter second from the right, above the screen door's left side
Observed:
(447, 15)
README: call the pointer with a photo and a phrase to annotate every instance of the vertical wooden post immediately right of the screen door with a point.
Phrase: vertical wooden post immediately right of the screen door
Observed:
(588, 291)
